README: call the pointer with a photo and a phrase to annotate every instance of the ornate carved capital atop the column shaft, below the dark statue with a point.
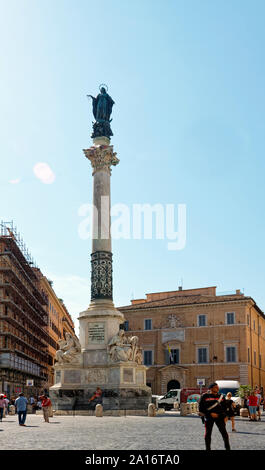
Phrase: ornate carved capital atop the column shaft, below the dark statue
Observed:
(102, 157)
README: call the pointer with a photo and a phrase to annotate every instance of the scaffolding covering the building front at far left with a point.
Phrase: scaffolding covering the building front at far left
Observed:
(23, 314)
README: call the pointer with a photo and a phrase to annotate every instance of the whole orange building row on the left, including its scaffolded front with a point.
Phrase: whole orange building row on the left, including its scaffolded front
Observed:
(32, 319)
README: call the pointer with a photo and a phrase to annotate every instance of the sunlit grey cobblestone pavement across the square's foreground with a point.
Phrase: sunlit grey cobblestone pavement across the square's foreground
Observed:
(166, 432)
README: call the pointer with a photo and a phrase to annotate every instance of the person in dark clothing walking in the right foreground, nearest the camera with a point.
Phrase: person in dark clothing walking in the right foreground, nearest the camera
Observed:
(212, 407)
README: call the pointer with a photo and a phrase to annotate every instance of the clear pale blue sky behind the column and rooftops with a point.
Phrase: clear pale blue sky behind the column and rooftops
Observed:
(187, 78)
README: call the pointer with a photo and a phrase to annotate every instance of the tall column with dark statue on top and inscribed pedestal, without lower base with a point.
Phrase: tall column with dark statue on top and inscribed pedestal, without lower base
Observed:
(94, 329)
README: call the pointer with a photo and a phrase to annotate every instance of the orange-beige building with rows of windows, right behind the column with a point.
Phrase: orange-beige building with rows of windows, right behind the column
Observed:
(195, 334)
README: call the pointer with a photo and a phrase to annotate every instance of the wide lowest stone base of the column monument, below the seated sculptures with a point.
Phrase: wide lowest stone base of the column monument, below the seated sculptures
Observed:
(123, 387)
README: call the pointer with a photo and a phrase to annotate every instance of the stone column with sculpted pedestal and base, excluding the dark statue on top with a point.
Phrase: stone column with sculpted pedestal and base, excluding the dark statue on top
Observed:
(107, 359)
